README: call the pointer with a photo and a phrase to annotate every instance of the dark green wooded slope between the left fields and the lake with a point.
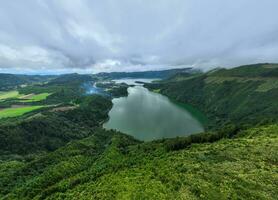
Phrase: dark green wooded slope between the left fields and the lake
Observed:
(51, 129)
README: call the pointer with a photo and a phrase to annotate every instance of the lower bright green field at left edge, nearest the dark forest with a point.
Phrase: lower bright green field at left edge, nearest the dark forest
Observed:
(14, 112)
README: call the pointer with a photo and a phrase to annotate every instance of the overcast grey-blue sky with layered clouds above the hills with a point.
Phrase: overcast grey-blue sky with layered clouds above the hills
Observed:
(90, 36)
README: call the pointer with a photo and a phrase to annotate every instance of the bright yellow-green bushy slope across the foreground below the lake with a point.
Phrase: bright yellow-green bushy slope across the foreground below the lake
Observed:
(110, 165)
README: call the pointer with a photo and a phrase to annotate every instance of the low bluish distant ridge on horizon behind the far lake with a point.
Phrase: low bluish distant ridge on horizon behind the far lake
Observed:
(162, 74)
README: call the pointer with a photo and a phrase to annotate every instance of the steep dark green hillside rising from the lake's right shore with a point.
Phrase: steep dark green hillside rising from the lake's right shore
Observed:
(243, 95)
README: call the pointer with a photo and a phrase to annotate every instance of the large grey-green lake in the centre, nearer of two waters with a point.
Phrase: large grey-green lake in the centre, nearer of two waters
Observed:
(148, 116)
